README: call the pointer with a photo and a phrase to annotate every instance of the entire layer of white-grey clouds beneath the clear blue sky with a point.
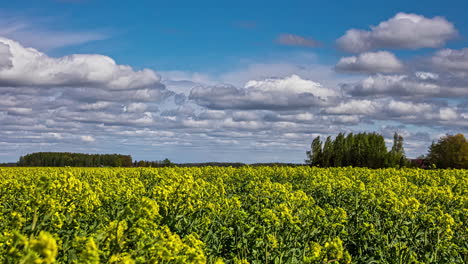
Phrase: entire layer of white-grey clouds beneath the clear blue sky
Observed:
(261, 111)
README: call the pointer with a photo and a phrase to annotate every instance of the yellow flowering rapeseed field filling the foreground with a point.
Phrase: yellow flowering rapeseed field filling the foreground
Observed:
(233, 215)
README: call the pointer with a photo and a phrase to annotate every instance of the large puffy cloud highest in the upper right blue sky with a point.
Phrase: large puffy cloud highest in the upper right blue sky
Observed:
(403, 31)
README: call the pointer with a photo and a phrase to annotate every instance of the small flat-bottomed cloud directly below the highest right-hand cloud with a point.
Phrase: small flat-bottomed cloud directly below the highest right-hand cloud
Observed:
(370, 62)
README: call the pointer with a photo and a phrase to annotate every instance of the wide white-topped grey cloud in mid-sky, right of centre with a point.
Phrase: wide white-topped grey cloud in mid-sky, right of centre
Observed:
(286, 93)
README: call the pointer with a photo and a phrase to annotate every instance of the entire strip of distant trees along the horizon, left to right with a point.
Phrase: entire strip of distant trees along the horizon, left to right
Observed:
(356, 150)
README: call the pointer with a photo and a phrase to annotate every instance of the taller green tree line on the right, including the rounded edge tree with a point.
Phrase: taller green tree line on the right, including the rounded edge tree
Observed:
(369, 150)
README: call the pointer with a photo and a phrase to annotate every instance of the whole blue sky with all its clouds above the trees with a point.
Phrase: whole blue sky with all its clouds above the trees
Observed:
(237, 81)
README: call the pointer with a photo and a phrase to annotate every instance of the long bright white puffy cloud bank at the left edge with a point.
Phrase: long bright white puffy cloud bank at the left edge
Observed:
(30, 67)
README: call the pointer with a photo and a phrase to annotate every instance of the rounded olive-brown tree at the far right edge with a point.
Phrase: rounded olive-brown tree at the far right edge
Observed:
(451, 151)
